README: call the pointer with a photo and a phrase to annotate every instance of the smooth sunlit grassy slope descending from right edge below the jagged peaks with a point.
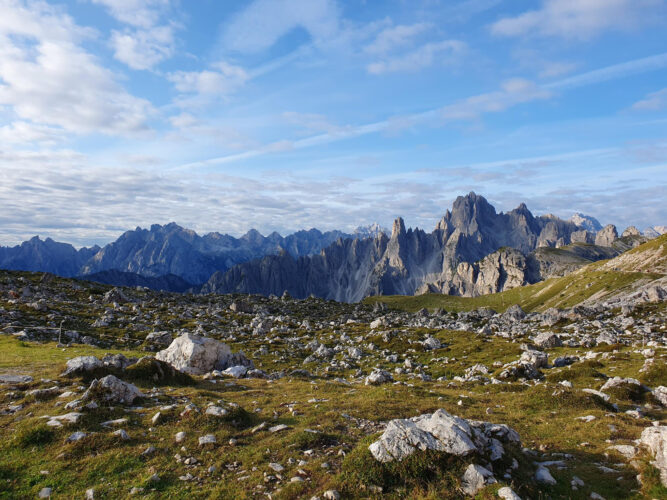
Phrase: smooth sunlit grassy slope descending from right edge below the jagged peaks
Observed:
(600, 279)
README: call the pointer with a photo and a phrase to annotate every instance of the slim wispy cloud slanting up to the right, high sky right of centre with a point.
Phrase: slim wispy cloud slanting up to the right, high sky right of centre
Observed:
(427, 55)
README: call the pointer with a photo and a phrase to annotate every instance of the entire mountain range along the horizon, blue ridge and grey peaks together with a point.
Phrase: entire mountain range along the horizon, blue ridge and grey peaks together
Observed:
(473, 250)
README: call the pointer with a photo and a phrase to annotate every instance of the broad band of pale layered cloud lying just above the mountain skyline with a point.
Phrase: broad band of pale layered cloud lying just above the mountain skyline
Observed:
(69, 197)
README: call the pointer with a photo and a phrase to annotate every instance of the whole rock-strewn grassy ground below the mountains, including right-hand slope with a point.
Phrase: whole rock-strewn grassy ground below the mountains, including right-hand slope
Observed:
(555, 390)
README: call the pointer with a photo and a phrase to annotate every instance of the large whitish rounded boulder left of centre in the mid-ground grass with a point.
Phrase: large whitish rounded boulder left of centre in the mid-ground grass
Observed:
(197, 355)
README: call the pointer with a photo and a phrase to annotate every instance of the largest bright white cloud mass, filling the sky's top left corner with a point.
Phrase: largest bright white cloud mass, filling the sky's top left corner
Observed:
(47, 77)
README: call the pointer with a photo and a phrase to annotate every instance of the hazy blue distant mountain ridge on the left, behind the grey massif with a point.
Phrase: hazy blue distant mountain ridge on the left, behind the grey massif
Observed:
(160, 251)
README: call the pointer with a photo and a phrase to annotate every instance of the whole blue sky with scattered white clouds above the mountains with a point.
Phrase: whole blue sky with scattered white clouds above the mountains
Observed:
(226, 115)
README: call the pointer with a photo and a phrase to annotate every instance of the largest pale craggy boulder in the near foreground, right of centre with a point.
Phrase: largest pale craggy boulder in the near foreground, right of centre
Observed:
(443, 432)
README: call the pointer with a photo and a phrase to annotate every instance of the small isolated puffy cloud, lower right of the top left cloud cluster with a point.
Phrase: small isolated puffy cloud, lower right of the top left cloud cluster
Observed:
(222, 80)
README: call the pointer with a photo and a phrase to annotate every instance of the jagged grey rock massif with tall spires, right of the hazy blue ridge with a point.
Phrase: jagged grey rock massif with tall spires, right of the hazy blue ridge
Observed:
(472, 251)
